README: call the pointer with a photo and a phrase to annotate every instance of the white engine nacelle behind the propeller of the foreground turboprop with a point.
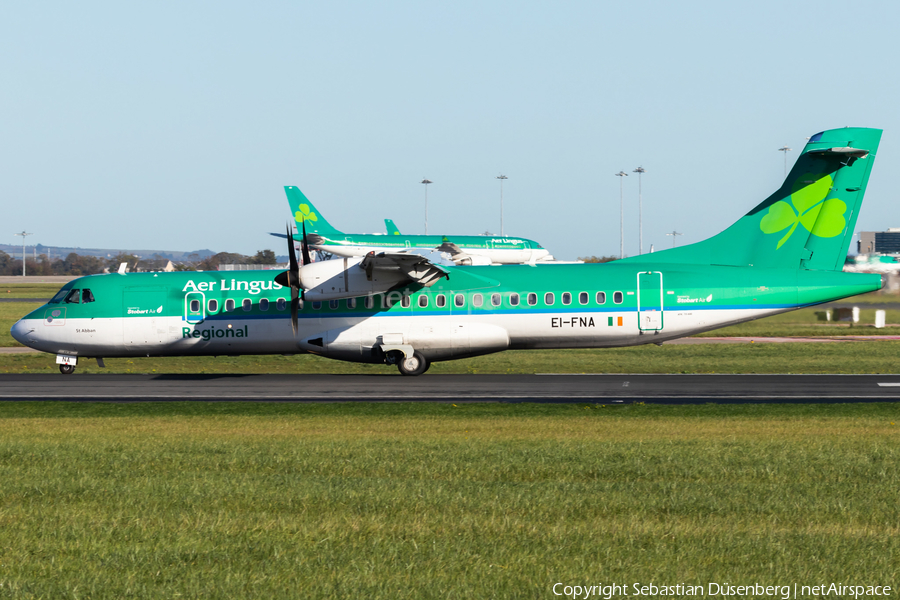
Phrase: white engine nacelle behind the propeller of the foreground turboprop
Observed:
(343, 278)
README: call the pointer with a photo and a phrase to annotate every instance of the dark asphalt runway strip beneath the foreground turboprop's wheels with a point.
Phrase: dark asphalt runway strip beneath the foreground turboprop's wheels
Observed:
(604, 389)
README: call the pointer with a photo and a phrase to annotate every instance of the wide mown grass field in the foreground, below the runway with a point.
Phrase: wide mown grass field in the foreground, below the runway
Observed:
(421, 501)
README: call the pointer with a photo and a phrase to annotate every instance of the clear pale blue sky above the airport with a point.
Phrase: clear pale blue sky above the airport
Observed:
(175, 125)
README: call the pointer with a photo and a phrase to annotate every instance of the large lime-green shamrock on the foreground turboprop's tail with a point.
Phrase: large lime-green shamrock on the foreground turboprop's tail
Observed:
(807, 207)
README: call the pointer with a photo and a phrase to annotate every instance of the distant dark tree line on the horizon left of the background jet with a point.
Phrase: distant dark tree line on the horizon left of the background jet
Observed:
(76, 264)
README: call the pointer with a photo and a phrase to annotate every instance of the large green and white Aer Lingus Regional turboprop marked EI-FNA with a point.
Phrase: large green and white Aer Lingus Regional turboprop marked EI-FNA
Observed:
(785, 253)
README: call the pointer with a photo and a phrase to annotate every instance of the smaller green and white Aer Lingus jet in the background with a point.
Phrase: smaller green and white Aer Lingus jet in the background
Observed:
(462, 249)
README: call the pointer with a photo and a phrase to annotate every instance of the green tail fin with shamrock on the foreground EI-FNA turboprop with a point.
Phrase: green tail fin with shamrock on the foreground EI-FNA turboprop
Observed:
(808, 222)
